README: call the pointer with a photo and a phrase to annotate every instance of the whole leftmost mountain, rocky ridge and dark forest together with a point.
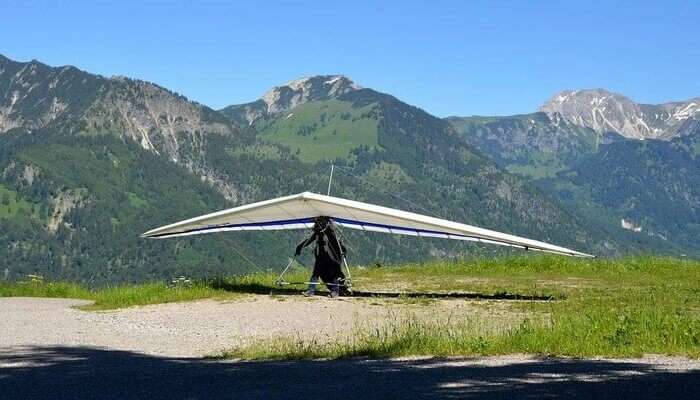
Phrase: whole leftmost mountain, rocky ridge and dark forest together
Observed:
(88, 163)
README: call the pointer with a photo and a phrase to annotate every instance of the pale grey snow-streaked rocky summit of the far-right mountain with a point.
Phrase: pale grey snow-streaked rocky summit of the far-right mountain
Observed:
(604, 112)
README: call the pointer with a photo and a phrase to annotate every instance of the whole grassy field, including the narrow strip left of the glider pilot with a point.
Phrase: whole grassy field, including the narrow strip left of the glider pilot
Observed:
(600, 307)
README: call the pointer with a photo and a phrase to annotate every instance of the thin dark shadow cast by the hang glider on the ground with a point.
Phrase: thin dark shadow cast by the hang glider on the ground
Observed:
(257, 288)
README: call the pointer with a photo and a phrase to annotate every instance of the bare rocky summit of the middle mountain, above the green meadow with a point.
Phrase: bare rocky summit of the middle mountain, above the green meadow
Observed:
(287, 96)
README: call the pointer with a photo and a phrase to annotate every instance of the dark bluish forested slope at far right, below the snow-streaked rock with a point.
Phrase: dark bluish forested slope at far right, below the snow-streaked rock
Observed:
(653, 186)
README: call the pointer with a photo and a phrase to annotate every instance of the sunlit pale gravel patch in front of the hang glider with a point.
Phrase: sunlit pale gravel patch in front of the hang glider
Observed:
(198, 328)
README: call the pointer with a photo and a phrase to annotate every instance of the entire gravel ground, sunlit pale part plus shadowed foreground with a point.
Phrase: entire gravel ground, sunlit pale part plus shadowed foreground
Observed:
(49, 350)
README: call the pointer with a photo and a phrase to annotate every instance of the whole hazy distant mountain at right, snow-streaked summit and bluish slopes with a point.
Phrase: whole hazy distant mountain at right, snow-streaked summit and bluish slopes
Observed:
(585, 151)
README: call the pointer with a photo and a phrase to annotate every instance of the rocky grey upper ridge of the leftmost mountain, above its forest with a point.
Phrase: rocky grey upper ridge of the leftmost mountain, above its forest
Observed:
(34, 96)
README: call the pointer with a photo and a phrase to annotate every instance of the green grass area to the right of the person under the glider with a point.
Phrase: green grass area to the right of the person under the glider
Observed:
(620, 308)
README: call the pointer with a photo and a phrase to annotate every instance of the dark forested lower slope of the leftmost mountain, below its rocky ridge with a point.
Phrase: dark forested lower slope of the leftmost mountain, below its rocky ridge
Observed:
(78, 205)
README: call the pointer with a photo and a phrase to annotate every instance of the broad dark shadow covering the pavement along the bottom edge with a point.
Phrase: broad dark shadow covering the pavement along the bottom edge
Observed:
(87, 372)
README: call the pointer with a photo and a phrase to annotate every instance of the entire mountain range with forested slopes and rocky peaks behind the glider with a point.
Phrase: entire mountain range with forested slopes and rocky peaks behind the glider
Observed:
(89, 162)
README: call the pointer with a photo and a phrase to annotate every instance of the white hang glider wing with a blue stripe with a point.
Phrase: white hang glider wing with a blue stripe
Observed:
(298, 212)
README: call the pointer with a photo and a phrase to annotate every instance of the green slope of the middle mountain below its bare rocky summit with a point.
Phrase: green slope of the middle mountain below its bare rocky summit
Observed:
(419, 157)
